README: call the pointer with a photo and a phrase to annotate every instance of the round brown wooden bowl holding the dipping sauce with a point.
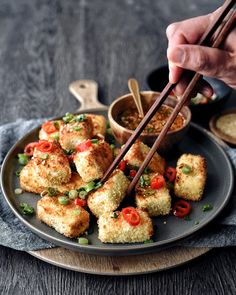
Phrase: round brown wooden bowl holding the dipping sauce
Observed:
(122, 134)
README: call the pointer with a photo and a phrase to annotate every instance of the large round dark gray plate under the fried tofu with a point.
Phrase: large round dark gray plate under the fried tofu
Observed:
(169, 229)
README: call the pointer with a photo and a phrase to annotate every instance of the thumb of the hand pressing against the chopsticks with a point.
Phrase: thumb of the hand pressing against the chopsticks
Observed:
(207, 61)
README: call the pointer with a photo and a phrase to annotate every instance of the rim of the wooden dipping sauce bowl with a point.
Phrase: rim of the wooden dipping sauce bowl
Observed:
(186, 120)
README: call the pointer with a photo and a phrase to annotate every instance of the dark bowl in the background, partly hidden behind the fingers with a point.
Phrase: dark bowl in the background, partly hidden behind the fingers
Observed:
(158, 79)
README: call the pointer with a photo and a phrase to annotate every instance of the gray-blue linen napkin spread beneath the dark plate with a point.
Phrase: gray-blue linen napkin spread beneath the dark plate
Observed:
(13, 234)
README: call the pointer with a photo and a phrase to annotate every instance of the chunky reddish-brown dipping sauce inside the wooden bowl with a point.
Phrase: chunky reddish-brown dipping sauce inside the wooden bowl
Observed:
(130, 119)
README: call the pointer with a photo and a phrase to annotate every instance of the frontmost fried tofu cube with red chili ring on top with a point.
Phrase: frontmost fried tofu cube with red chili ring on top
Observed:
(118, 230)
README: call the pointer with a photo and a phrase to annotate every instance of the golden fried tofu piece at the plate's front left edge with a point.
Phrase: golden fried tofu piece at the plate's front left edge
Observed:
(69, 220)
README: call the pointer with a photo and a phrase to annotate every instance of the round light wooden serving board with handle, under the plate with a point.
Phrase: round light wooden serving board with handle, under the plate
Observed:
(86, 92)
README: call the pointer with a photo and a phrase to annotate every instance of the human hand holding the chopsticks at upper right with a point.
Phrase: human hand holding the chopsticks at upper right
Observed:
(211, 62)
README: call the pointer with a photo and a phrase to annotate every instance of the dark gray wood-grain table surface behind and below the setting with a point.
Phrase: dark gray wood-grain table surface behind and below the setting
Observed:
(44, 45)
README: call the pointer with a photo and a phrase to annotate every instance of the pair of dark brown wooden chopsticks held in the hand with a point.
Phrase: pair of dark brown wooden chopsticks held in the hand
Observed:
(213, 37)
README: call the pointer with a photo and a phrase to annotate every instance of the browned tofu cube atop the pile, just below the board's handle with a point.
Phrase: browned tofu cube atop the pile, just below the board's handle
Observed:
(74, 132)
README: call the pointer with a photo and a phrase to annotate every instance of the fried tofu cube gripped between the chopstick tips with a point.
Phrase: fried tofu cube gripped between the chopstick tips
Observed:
(109, 196)
